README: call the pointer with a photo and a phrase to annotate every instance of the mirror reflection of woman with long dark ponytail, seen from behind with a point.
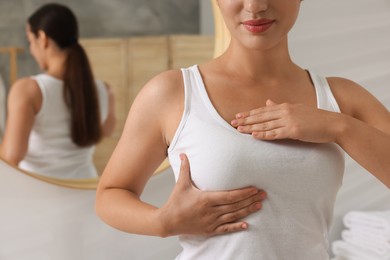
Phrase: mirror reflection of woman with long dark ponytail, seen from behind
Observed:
(55, 119)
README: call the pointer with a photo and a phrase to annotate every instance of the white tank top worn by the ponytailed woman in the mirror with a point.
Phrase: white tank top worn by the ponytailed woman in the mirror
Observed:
(51, 151)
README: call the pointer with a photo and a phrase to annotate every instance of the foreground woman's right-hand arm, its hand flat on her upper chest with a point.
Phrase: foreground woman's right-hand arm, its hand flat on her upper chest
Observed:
(362, 129)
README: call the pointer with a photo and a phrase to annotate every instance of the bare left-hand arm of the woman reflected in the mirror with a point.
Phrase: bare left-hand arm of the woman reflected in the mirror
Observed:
(24, 102)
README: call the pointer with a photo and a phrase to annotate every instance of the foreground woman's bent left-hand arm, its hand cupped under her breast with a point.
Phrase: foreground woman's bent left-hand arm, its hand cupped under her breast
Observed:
(155, 113)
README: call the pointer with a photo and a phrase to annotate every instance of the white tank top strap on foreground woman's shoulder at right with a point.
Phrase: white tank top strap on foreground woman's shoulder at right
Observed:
(325, 97)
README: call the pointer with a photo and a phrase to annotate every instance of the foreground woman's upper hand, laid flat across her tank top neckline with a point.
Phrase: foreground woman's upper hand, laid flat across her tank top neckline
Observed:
(289, 121)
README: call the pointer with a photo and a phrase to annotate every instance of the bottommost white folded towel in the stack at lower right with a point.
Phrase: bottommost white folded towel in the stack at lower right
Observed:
(344, 250)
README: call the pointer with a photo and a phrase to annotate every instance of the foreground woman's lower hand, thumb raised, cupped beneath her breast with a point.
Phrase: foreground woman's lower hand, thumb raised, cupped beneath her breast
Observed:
(190, 211)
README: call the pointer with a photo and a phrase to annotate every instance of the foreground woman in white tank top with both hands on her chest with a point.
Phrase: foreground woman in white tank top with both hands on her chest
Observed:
(251, 118)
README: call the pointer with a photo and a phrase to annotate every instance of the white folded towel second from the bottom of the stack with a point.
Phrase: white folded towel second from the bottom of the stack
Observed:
(380, 248)
